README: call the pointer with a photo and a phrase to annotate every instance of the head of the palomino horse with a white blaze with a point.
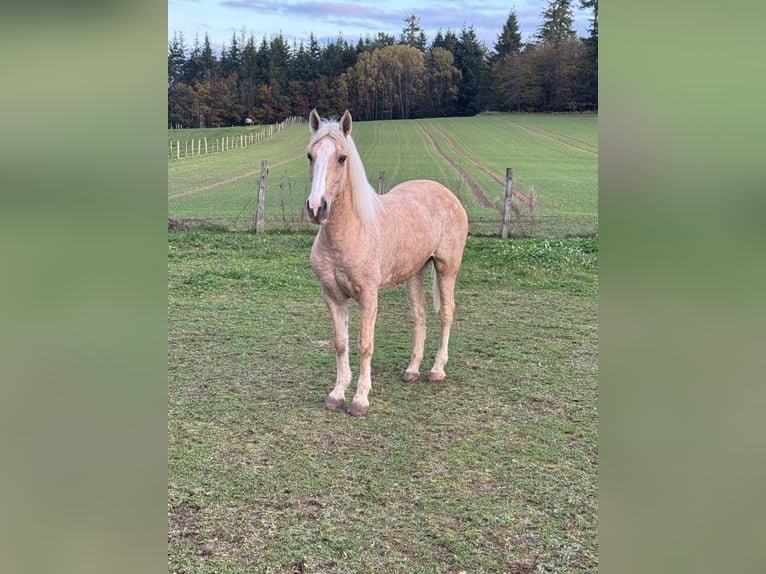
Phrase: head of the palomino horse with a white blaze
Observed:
(328, 155)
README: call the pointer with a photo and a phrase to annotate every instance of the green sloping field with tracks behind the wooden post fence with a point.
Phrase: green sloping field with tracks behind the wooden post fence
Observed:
(554, 157)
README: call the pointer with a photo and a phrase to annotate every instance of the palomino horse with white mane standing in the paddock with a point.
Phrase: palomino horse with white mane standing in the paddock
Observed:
(367, 242)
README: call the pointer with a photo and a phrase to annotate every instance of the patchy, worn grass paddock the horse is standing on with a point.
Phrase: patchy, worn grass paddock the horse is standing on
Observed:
(493, 470)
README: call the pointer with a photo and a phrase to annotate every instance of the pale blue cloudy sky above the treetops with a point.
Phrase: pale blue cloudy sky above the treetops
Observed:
(297, 19)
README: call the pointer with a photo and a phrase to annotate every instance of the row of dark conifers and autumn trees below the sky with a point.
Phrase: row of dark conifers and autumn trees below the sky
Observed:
(385, 77)
